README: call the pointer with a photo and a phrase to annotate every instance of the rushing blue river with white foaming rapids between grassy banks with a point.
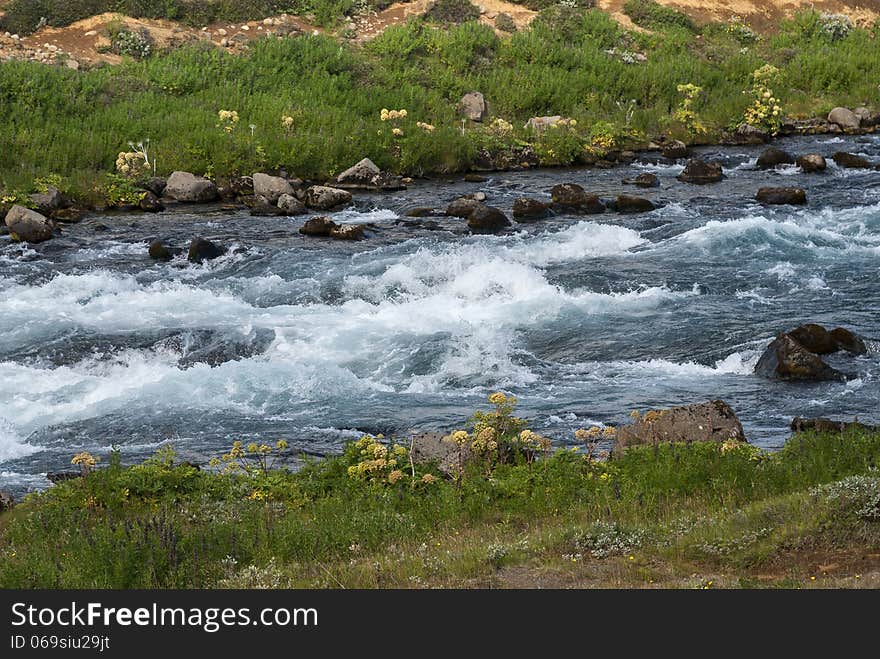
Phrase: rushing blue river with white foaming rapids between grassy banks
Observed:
(582, 318)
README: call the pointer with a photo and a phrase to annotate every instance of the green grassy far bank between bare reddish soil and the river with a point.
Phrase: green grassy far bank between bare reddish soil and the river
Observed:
(312, 105)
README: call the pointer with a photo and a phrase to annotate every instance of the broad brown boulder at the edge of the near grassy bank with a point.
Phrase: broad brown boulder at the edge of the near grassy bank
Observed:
(713, 421)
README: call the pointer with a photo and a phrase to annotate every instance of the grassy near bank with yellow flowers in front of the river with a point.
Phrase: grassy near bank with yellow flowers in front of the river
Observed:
(691, 515)
